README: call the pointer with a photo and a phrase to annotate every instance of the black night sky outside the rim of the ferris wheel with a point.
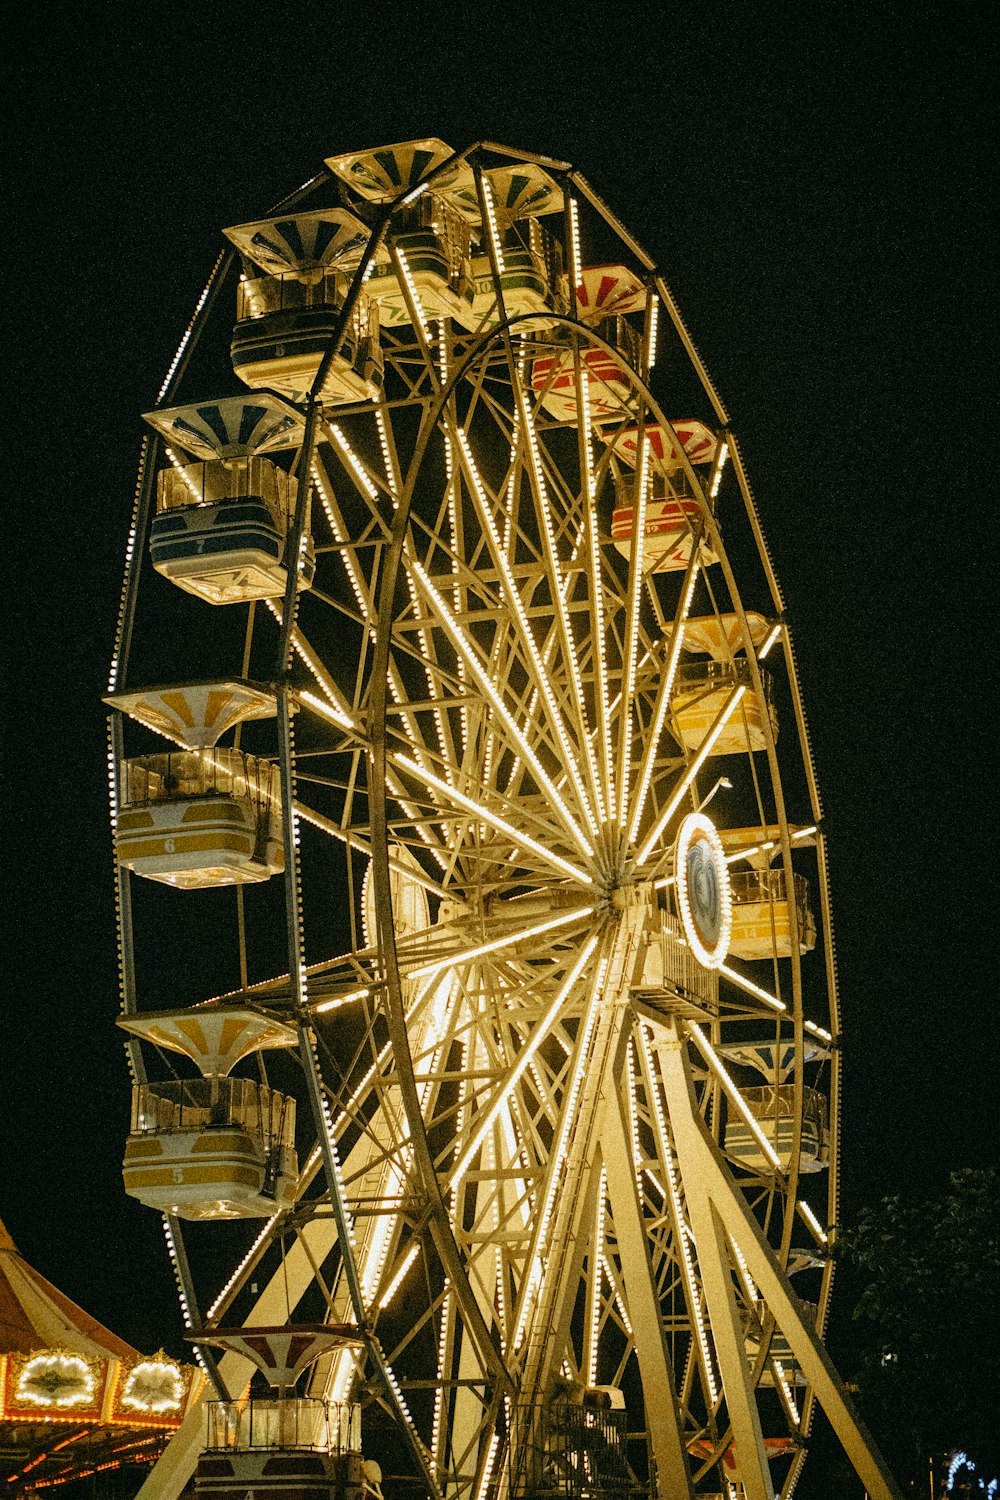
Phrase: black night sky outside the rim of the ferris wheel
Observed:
(816, 185)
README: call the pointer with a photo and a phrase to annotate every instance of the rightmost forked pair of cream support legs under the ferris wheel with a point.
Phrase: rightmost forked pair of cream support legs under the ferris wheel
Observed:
(720, 1216)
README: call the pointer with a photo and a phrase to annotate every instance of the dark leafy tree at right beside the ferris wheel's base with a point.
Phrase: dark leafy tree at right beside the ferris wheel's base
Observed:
(926, 1279)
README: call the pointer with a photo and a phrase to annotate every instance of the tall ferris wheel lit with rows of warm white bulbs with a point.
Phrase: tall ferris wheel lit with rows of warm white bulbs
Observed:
(454, 697)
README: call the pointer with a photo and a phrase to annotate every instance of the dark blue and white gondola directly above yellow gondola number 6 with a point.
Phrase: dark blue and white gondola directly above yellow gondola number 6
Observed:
(223, 517)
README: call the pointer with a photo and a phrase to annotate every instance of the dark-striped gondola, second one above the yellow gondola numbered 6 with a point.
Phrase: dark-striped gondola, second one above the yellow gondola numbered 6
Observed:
(292, 302)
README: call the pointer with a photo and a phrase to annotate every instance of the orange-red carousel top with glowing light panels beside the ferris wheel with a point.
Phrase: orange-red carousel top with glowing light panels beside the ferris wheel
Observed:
(74, 1397)
